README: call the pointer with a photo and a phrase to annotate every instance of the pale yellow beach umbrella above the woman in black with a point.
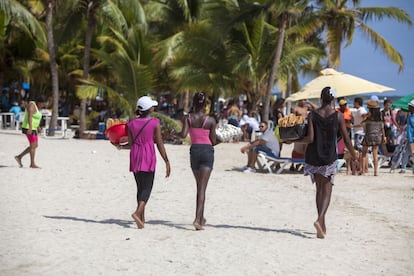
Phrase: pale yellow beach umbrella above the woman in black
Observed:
(344, 85)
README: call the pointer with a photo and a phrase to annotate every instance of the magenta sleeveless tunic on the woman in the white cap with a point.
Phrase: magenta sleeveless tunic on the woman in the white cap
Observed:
(142, 156)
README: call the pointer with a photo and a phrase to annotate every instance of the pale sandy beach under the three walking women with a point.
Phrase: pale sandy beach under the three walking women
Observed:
(73, 217)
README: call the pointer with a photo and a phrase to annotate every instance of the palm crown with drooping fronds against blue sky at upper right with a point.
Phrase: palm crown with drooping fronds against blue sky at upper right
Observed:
(338, 20)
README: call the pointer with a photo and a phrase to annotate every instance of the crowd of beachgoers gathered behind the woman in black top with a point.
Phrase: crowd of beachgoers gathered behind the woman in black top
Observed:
(375, 132)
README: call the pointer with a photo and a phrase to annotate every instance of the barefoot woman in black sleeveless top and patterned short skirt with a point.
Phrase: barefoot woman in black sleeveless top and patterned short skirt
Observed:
(321, 155)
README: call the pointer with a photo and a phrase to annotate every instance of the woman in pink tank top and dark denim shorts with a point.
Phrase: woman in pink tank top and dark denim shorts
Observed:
(202, 129)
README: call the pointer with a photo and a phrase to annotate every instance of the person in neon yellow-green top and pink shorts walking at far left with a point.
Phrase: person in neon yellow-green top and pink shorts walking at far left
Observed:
(31, 127)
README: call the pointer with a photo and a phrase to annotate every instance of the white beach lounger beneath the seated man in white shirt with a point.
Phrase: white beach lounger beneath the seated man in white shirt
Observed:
(277, 165)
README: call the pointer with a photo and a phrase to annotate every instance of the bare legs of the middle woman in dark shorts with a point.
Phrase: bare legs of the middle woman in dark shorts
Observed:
(202, 176)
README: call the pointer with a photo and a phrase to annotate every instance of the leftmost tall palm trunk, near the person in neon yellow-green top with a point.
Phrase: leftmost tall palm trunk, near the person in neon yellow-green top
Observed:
(53, 67)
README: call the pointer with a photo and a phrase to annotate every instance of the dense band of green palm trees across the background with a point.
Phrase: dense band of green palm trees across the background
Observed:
(131, 48)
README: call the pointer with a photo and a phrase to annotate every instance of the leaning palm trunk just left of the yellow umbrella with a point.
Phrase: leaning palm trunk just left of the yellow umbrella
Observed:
(276, 61)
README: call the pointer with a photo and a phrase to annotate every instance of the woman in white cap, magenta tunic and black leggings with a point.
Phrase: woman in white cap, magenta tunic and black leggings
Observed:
(143, 131)
